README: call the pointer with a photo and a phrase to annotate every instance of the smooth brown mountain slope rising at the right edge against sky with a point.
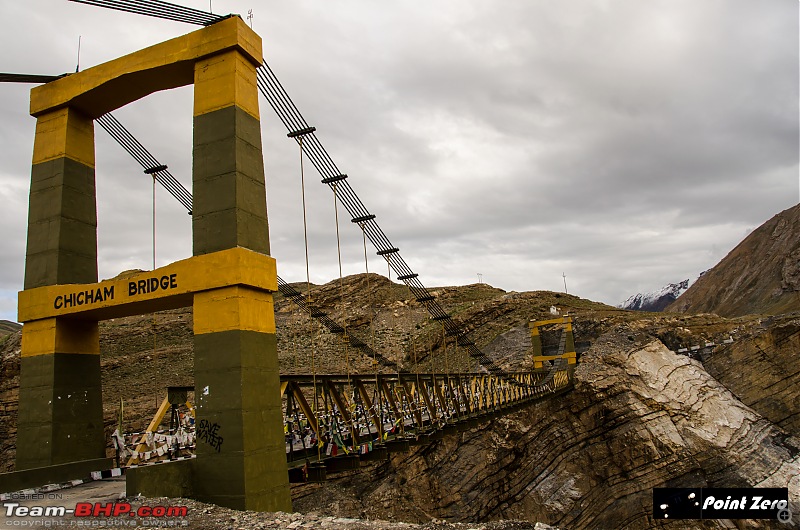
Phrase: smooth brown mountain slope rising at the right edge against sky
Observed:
(761, 275)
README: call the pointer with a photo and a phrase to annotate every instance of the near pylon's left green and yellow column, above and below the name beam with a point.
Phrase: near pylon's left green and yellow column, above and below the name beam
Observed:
(60, 413)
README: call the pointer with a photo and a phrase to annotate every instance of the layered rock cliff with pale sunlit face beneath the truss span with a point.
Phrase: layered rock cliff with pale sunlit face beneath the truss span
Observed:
(640, 417)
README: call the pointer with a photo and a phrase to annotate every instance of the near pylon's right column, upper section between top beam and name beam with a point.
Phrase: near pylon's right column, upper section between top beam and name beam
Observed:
(230, 206)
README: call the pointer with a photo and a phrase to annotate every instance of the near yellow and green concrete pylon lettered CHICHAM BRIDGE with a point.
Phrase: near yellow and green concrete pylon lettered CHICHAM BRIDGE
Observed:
(228, 281)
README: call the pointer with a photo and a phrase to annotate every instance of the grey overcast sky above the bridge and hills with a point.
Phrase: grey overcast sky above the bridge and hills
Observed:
(625, 143)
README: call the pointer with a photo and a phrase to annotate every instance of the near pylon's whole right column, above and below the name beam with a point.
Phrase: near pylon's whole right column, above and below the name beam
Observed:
(241, 459)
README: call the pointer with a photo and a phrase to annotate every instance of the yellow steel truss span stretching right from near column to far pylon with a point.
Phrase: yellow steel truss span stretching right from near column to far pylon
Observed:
(330, 415)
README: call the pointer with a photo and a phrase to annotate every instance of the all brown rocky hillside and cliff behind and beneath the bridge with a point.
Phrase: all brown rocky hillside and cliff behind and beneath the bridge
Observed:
(640, 416)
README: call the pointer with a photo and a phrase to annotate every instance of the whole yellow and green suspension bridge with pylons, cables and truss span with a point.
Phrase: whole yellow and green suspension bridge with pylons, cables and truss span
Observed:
(250, 424)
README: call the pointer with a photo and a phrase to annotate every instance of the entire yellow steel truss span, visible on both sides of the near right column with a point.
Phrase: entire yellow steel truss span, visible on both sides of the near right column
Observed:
(333, 422)
